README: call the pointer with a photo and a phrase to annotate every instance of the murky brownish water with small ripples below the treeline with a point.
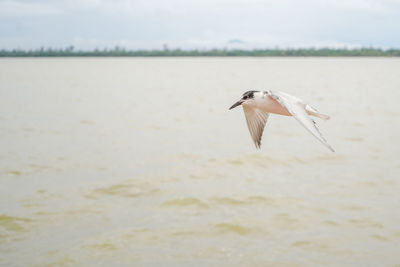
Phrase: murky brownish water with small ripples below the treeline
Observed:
(138, 162)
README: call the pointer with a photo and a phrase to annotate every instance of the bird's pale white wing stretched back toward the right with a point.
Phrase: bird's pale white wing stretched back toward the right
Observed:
(296, 107)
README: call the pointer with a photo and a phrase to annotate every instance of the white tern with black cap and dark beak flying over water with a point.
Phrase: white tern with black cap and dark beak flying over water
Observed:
(257, 105)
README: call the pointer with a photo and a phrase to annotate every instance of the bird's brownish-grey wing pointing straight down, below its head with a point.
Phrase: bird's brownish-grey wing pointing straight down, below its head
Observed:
(256, 120)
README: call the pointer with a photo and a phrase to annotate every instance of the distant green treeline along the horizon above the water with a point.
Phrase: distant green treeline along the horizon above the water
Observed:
(121, 52)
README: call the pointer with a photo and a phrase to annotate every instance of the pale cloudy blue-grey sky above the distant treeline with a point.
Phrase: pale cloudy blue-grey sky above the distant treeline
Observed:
(199, 24)
